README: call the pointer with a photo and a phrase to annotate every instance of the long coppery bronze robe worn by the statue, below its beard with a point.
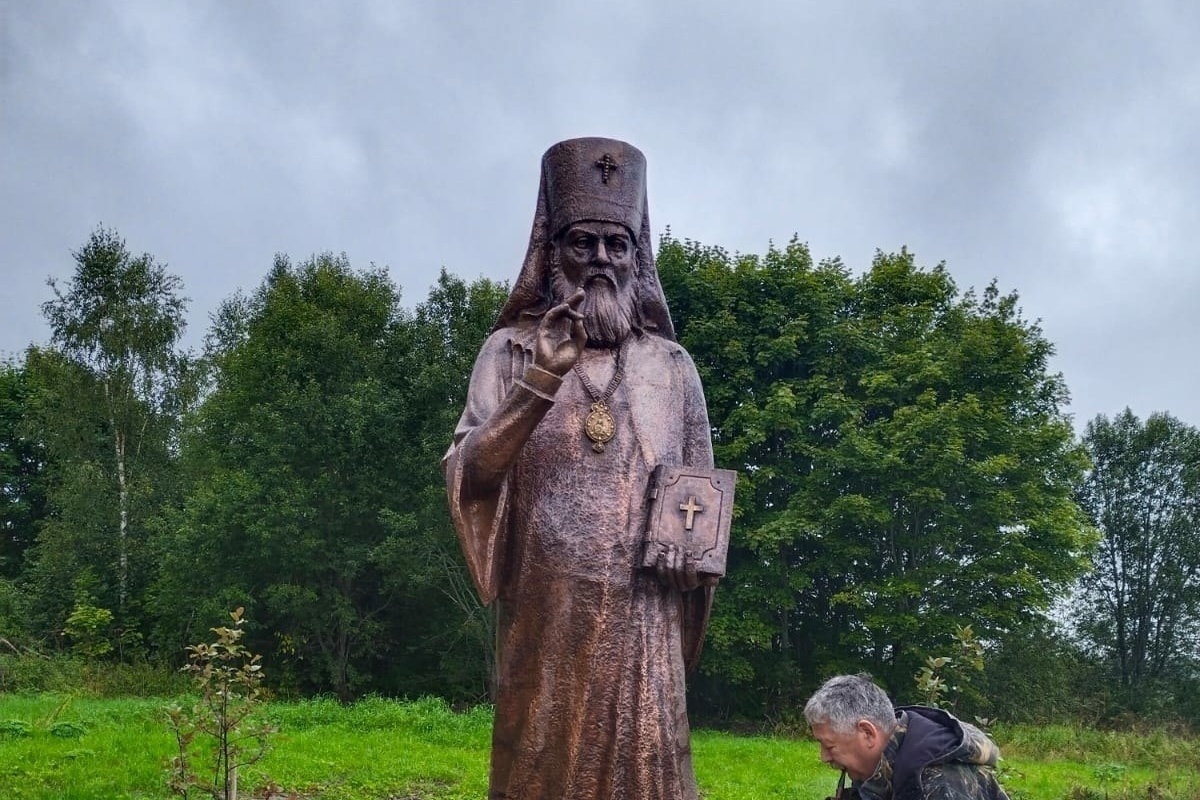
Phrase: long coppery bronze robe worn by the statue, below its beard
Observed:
(592, 649)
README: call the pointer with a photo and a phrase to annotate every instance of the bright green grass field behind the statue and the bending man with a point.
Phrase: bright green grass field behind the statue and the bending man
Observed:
(64, 748)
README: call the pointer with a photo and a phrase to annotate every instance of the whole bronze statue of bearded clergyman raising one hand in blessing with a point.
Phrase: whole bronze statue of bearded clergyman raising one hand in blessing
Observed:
(578, 396)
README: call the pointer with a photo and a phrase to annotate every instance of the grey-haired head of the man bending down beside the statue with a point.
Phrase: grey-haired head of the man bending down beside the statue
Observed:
(853, 719)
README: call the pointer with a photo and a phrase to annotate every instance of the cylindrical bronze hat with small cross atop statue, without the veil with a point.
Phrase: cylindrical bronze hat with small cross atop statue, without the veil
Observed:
(595, 179)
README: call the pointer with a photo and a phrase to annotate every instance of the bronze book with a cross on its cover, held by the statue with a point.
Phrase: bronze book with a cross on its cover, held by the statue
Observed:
(693, 509)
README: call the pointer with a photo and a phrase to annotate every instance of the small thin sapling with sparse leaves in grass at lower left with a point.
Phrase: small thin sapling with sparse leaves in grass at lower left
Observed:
(225, 720)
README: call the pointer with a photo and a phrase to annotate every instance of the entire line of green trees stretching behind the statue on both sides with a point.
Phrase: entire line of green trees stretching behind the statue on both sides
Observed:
(907, 468)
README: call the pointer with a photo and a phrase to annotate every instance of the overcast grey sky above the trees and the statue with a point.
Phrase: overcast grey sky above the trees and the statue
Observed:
(1051, 146)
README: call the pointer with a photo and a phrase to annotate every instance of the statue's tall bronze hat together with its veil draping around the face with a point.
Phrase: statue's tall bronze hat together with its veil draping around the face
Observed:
(603, 181)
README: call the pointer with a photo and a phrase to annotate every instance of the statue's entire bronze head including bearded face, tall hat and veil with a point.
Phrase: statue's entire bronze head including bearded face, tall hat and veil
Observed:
(592, 231)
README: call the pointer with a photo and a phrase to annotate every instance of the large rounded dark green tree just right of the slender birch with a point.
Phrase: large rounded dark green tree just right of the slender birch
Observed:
(293, 455)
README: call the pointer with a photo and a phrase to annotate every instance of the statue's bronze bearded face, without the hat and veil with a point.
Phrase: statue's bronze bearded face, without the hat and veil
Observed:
(602, 260)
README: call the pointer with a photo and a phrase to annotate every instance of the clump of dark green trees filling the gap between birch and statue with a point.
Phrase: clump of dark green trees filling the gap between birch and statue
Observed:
(315, 491)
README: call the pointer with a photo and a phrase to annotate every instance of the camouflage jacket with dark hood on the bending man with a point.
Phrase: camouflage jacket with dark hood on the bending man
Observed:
(933, 756)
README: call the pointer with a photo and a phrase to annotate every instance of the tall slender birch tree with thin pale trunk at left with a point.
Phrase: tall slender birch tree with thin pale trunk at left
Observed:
(103, 404)
